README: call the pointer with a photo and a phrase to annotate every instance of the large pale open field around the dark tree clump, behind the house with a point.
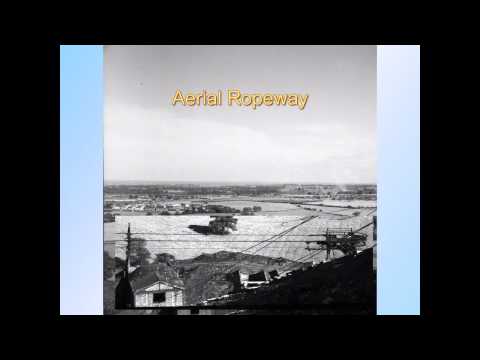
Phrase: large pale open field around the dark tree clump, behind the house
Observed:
(182, 242)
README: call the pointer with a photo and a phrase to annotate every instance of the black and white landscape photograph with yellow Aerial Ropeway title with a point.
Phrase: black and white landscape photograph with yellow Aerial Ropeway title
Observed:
(240, 180)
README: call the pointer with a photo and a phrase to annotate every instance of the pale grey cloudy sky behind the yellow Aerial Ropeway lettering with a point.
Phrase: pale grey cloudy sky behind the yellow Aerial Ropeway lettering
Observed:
(333, 140)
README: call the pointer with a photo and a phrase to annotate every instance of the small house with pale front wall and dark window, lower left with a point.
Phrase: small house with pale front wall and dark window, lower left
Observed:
(156, 286)
